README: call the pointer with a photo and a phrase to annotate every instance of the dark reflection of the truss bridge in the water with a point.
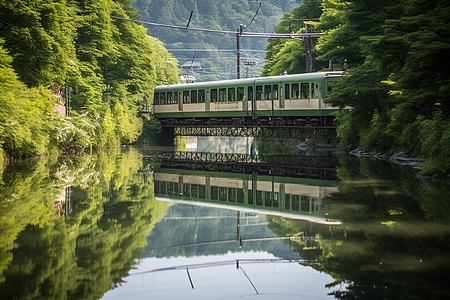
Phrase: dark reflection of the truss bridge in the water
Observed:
(305, 166)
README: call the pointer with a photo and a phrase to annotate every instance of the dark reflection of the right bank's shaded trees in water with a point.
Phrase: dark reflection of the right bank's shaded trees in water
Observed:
(394, 239)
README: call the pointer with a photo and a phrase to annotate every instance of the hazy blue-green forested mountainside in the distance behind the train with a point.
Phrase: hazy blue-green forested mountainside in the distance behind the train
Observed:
(219, 15)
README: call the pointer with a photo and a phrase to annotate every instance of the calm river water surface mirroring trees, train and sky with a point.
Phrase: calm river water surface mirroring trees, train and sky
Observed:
(221, 219)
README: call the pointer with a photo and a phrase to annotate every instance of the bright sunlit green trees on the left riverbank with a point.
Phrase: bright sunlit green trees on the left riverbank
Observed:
(106, 66)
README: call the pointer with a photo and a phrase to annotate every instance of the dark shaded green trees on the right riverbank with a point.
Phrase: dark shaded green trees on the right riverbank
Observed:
(397, 72)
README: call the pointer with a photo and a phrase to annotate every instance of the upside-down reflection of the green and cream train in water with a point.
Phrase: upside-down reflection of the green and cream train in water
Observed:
(295, 198)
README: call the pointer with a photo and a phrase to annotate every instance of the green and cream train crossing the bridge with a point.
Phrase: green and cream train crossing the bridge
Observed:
(280, 100)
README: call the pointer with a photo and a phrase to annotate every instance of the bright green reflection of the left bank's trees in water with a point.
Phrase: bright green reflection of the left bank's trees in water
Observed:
(47, 255)
